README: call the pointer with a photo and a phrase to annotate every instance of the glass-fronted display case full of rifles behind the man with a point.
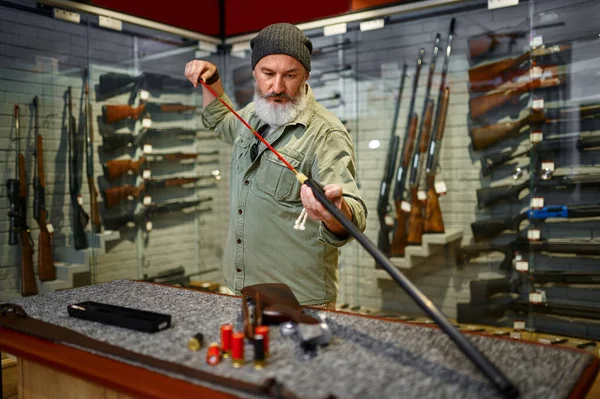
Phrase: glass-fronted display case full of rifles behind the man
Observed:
(475, 136)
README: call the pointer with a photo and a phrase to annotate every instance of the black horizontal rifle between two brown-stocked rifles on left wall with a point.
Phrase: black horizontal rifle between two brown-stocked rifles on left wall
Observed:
(115, 141)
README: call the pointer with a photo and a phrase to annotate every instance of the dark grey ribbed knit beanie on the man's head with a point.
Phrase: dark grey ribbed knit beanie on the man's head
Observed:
(282, 38)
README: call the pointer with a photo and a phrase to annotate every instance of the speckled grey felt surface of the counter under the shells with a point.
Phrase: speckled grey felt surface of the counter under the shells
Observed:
(368, 358)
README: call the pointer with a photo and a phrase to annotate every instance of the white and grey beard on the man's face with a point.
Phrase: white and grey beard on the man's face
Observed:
(278, 114)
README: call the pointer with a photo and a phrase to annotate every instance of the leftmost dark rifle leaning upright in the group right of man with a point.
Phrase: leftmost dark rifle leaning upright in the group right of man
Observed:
(383, 203)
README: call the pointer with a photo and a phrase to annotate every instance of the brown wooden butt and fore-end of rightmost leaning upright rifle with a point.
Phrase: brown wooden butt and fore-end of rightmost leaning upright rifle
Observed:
(434, 222)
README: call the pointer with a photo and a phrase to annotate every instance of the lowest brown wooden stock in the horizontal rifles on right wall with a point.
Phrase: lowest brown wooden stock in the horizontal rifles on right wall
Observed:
(486, 136)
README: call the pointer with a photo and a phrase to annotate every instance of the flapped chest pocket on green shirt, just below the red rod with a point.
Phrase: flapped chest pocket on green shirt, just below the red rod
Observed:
(274, 178)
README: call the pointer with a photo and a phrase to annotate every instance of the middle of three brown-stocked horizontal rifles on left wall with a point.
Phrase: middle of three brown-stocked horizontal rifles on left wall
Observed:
(116, 168)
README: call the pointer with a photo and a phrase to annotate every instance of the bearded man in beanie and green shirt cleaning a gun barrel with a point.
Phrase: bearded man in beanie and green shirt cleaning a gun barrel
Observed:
(265, 198)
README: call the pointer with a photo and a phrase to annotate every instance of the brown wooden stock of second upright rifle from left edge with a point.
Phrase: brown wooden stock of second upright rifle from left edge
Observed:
(46, 269)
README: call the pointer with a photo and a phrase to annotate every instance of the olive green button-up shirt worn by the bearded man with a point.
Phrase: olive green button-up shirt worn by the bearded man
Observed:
(262, 245)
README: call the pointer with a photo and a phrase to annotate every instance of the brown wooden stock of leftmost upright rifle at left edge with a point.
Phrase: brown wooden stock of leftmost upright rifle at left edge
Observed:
(28, 283)
